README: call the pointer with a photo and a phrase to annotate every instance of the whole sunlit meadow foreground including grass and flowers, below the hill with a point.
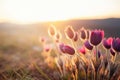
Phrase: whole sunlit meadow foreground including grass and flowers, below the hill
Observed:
(80, 54)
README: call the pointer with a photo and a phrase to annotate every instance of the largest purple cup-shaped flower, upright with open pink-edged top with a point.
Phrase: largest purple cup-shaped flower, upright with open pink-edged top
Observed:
(96, 37)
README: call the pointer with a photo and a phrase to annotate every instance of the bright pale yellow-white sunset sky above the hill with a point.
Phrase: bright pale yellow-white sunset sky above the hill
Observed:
(26, 11)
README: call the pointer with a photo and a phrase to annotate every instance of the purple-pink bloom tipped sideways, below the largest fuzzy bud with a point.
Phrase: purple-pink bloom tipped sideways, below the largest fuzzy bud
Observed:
(67, 49)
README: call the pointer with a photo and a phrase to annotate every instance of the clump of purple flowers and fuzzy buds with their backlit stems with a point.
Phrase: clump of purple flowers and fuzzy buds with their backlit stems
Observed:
(88, 56)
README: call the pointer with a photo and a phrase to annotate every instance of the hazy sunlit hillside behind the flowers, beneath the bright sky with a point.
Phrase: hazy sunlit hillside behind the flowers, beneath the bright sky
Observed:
(111, 27)
